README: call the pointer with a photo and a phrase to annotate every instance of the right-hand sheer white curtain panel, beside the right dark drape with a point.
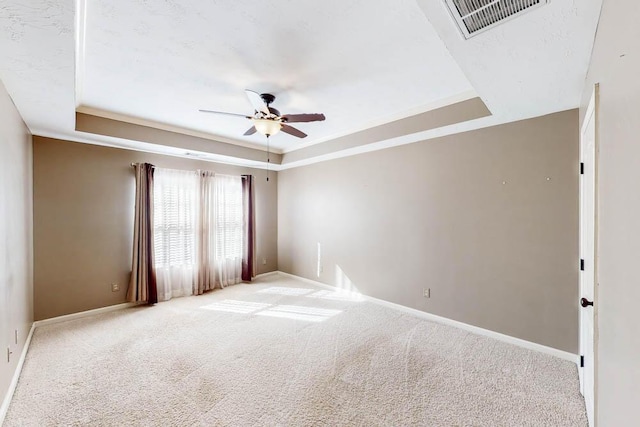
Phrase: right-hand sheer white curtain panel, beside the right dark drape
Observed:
(228, 228)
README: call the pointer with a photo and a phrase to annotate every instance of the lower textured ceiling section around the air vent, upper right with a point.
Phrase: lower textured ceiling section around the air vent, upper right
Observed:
(532, 65)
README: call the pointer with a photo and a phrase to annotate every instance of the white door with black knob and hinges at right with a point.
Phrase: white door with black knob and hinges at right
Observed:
(587, 302)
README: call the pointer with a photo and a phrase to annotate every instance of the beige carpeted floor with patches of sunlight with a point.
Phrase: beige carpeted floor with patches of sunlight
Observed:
(282, 352)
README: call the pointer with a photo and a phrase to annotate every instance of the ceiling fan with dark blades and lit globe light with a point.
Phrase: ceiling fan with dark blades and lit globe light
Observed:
(267, 120)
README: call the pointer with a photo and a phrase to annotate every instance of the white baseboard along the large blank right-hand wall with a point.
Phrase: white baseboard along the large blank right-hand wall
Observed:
(450, 322)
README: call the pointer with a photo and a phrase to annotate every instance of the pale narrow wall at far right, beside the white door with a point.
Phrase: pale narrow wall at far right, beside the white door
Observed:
(615, 65)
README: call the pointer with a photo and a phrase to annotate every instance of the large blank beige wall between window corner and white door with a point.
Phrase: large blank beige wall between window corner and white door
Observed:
(437, 215)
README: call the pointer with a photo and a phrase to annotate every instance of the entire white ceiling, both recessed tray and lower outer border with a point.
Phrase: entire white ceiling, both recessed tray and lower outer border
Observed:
(362, 63)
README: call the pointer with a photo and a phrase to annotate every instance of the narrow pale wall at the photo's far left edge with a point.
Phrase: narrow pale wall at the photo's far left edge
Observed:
(16, 240)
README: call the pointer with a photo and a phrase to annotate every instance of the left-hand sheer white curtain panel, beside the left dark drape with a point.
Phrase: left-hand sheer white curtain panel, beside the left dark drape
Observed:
(175, 226)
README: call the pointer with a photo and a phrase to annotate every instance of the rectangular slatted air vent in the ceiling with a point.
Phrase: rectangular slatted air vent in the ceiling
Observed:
(476, 16)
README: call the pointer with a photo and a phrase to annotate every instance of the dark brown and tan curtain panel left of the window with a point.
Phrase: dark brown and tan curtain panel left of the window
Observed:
(142, 287)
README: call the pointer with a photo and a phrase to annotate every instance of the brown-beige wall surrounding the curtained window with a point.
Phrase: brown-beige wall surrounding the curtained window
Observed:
(83, 222)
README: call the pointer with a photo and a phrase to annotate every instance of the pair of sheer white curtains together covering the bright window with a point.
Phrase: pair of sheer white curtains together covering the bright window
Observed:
(198, 225)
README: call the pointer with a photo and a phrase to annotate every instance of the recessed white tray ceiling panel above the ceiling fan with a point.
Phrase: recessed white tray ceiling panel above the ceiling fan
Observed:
(163, 61)
